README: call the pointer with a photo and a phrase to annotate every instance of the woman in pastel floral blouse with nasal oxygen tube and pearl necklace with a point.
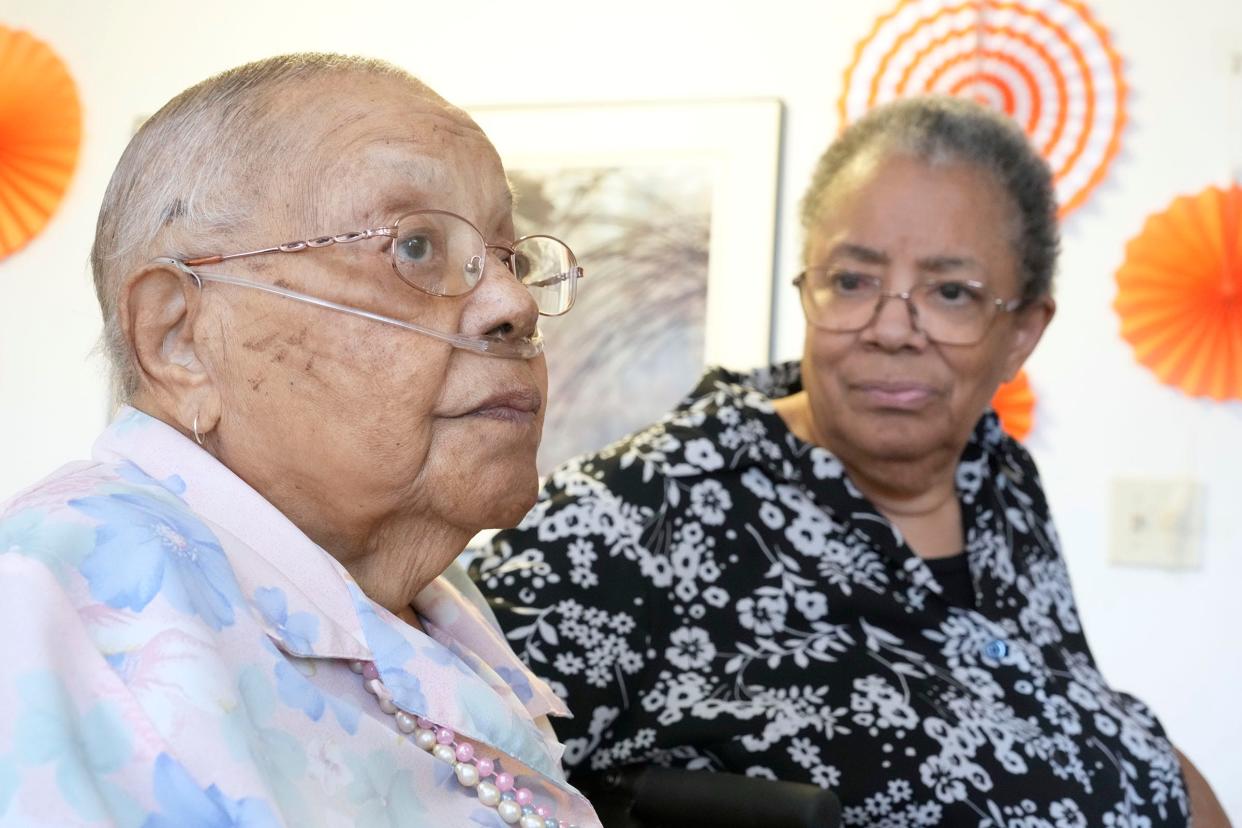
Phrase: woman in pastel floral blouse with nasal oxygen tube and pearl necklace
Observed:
(235, 613)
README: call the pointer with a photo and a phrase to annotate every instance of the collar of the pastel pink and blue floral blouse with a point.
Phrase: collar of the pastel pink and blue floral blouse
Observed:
(463, 673)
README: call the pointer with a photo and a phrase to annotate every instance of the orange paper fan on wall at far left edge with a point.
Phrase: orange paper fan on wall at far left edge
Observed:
(40, 132)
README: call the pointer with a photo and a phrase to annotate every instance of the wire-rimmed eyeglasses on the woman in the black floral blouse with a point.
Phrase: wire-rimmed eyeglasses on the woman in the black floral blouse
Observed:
(952, 312)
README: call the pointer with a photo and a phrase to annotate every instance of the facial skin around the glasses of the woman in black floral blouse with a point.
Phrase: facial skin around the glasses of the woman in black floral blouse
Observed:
(887, 393)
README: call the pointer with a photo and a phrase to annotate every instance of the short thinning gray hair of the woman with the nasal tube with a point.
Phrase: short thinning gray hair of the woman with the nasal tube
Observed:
(198, 169)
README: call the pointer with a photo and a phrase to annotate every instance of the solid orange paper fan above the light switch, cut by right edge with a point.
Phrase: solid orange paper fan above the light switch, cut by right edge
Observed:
(1179, 295)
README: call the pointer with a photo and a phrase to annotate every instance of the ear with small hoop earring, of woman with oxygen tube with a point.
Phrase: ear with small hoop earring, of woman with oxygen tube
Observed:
(158, 308)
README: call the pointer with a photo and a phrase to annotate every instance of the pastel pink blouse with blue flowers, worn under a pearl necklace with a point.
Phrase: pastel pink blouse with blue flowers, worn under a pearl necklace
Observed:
(177, 654)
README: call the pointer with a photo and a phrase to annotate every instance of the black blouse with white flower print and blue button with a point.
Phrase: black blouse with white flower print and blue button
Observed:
(714, 593)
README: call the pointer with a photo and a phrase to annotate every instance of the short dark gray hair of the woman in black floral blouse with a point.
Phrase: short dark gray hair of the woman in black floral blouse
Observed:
(945, 130)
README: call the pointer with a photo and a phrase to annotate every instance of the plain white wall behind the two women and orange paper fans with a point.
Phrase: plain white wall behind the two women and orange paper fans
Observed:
(1176, 640)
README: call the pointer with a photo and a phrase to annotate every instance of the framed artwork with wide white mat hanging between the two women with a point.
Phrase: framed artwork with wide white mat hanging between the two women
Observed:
(671, 212)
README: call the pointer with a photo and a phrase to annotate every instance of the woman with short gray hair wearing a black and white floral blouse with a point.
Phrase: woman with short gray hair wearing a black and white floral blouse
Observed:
(843, 572)
